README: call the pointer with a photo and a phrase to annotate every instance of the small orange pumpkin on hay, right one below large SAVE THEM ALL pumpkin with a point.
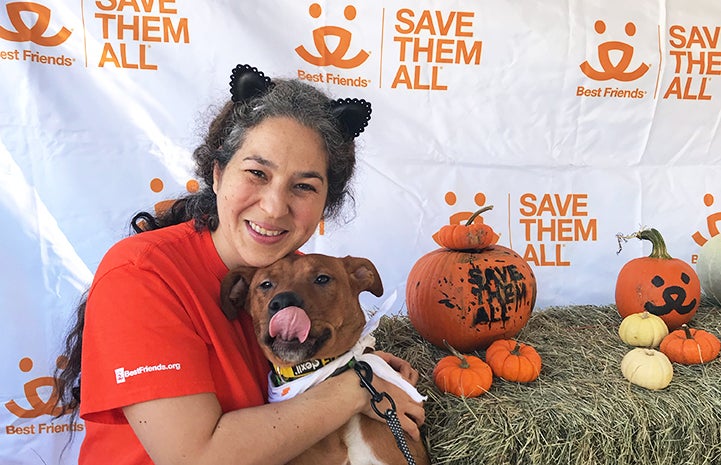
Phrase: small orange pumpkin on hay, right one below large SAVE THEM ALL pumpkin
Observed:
(513, 360)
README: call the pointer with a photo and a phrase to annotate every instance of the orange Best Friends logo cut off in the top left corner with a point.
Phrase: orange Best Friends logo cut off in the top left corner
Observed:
(33, 22)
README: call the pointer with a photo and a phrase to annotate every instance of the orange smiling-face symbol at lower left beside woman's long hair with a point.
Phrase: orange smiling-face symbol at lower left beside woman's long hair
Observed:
(38, 406)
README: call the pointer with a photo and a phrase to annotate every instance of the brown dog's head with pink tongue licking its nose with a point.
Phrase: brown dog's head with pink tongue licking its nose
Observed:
(303, 306)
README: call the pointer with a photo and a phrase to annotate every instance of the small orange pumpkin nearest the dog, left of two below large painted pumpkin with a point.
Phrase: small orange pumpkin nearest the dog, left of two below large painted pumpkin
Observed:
(462, 375)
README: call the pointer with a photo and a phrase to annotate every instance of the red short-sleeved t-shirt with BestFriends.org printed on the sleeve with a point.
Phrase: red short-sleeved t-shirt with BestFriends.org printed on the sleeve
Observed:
(154, 329)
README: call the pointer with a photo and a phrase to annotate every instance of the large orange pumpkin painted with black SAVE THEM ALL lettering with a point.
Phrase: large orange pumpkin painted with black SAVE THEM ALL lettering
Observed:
(470, 297)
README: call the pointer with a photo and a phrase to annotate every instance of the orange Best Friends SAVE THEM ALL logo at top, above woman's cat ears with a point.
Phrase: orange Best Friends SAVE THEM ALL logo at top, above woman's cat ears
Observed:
(422, 43)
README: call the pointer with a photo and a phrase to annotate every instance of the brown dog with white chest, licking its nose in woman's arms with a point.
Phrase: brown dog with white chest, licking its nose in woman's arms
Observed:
(306, 315)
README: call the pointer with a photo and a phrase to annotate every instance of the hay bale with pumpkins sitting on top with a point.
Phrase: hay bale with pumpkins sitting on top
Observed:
(580, 410)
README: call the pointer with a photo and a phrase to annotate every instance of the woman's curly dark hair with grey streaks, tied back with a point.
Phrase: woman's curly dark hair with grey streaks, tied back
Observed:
(225, 135)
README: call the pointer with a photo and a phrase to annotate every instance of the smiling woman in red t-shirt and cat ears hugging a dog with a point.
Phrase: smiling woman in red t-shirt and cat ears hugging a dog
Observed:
(166, 378)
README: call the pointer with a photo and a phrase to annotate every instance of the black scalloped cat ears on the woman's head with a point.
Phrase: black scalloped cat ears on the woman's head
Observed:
(352, 114)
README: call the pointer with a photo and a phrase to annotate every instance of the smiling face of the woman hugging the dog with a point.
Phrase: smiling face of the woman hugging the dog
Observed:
(272, 193)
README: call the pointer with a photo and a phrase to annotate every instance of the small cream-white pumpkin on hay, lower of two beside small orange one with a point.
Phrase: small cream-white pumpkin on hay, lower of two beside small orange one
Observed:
(647, 368)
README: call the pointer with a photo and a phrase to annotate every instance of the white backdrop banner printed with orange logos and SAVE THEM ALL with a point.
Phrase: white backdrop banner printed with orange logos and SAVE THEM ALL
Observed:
(575, 119)
